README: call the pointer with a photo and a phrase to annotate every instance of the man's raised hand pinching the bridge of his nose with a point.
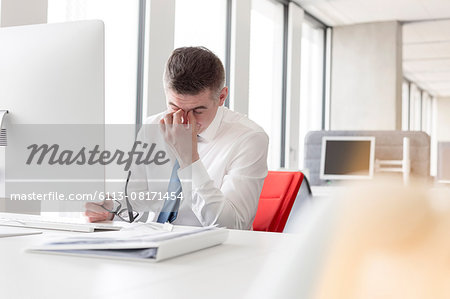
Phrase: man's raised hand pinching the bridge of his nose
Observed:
(180, 132)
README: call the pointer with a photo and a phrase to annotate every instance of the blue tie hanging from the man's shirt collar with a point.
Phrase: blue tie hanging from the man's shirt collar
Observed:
(169, 211)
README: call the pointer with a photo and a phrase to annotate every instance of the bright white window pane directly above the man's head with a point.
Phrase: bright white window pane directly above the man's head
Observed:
(194, 27)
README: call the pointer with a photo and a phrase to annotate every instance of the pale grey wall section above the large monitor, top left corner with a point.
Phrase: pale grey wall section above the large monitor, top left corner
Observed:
(22, 12)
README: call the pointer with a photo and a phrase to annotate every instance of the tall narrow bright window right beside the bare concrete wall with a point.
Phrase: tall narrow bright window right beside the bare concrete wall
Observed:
(311, 84)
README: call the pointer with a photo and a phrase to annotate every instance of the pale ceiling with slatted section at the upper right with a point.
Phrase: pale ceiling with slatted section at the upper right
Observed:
(426, 33)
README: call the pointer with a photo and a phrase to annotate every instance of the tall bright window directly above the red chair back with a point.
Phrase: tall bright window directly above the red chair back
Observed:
(266, 69)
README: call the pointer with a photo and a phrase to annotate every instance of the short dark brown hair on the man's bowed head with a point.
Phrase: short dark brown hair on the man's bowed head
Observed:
(191, 70)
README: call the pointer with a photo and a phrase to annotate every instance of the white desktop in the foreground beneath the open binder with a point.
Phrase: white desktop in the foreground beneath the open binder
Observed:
(248, 264)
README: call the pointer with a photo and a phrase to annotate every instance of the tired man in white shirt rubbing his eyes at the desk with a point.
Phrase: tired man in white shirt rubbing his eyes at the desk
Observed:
(222, 172)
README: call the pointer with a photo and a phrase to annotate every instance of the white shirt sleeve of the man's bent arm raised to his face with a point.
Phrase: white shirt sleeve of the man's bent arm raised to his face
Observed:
(234, 204)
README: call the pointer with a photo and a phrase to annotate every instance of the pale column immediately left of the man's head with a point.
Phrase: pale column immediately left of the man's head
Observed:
(159, 46)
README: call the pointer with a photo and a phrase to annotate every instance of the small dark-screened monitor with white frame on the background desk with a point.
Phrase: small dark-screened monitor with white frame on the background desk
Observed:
(347, 158)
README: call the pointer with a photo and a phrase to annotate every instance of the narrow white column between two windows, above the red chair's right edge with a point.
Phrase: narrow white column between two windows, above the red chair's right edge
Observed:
(295, 20)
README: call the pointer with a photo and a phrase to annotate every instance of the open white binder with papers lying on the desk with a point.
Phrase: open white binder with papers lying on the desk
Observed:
(142, 242)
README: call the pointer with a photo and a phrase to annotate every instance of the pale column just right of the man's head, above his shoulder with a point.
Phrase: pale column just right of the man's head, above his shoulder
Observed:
(240, 55)
